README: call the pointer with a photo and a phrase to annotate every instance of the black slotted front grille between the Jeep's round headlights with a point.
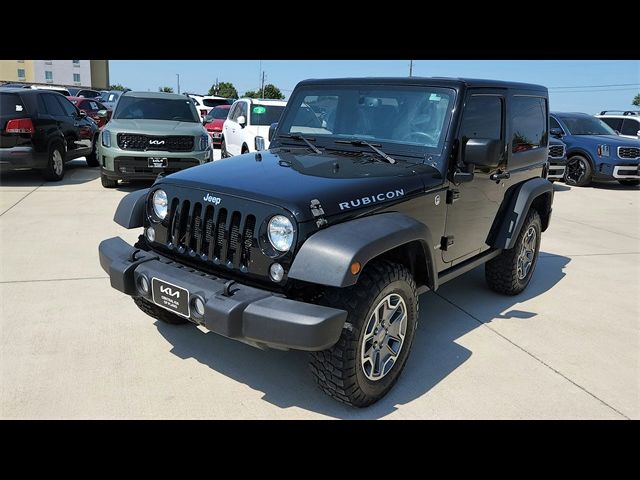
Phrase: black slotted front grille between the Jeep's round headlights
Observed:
(212, 234)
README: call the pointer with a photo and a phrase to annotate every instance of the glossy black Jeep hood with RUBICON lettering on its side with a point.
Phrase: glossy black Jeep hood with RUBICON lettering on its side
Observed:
(343, 184)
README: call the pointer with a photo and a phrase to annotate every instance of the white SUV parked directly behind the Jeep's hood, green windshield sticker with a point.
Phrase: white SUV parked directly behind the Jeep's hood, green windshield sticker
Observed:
(246, 128)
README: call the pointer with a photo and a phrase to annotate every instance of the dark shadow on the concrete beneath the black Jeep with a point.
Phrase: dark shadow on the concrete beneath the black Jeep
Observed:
(284, 379)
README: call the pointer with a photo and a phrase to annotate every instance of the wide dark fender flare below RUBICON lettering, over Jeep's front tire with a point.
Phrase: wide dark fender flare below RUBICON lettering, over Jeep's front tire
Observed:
(325, 258)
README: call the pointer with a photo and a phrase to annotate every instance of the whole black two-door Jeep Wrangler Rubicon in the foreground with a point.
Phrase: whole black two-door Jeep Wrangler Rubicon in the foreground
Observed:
(373, 191)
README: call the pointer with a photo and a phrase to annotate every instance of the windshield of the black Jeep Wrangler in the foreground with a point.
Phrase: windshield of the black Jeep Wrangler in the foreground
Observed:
(401, 116)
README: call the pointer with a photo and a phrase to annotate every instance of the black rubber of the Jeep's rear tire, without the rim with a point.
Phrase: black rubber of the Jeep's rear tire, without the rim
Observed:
(501, 273)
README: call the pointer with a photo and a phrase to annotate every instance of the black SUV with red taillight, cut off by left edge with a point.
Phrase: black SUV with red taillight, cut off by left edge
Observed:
(42, 129)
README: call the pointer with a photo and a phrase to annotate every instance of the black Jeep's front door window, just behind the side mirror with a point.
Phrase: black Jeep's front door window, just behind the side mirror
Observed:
(482, 117)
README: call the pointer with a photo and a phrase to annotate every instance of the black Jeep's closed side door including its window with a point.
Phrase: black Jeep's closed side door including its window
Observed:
(473, 205)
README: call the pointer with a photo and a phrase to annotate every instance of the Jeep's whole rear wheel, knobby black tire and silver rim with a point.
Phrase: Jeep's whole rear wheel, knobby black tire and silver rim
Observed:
(511, 271)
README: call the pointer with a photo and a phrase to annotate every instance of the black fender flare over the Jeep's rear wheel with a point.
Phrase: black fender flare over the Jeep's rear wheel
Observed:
(515, 213)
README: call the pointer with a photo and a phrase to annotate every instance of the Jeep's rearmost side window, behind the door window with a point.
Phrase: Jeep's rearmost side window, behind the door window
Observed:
(529, 123)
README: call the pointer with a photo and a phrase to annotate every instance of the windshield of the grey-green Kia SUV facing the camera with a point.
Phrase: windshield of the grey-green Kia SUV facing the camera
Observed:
(138, 108)
